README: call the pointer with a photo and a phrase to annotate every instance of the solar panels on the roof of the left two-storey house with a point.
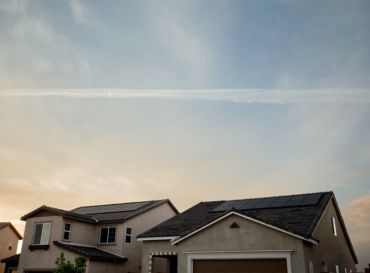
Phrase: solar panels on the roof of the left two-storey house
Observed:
(111, 208)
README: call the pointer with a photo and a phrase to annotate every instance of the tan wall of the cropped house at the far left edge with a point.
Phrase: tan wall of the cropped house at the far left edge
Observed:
(7, 236)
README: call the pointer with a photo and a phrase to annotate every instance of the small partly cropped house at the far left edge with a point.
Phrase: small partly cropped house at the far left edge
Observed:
(9, 238)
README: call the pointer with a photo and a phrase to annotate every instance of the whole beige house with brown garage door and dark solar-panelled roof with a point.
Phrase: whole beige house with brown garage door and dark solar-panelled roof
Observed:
(302, 233)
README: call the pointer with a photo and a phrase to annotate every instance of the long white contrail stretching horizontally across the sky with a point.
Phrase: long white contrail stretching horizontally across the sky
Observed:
(248, 96)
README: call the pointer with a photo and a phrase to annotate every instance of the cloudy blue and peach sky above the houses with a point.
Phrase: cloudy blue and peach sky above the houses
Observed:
(105, 102)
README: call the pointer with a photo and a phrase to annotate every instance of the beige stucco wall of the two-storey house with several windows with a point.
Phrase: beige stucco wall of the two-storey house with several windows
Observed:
(88, 234)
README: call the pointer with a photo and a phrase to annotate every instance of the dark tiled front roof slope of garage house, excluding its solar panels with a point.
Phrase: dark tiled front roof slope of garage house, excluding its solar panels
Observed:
(299, 220)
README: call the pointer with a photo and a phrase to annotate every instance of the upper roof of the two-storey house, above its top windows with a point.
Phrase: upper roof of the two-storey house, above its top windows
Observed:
(102, 214)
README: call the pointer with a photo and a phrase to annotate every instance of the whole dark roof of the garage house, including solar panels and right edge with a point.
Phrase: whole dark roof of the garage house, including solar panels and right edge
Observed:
(297, 215)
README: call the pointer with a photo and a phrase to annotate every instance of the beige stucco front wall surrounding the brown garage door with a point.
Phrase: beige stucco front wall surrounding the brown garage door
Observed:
(220, 238)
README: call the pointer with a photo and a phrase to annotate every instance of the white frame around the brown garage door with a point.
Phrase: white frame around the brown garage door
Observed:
(230, 255)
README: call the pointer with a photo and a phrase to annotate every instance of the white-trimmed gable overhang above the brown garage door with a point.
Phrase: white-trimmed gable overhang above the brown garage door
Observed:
(180, 239)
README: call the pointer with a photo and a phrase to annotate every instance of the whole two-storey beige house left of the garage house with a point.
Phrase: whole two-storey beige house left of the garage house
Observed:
(105, 235)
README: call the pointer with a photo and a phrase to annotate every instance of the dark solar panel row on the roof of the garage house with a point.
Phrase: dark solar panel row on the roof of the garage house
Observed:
(271, 202)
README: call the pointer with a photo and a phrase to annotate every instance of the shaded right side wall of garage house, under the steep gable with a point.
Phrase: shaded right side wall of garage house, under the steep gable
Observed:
(333, 250)
